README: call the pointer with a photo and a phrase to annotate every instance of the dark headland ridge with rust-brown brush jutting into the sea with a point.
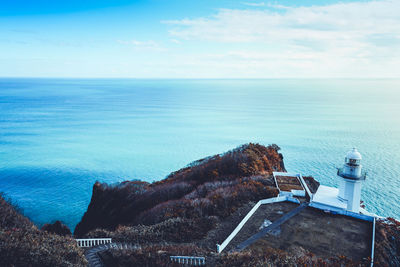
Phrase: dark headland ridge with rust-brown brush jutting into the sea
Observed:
(214, 186)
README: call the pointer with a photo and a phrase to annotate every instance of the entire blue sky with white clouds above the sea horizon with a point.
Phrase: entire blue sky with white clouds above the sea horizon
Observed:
(200, 39)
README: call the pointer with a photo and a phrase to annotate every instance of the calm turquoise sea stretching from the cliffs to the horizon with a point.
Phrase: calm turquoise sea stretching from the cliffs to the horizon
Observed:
(58, 136)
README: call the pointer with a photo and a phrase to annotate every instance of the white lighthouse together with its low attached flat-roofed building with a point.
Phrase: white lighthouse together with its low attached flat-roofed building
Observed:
(348, 196)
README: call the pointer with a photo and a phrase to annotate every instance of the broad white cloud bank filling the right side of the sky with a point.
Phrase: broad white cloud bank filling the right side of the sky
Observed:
(358, 39)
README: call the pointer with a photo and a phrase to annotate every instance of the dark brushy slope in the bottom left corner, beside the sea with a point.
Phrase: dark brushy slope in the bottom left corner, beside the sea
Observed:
(22, 244)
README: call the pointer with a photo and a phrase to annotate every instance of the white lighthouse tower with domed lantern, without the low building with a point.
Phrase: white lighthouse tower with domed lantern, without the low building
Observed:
(351, 178)
